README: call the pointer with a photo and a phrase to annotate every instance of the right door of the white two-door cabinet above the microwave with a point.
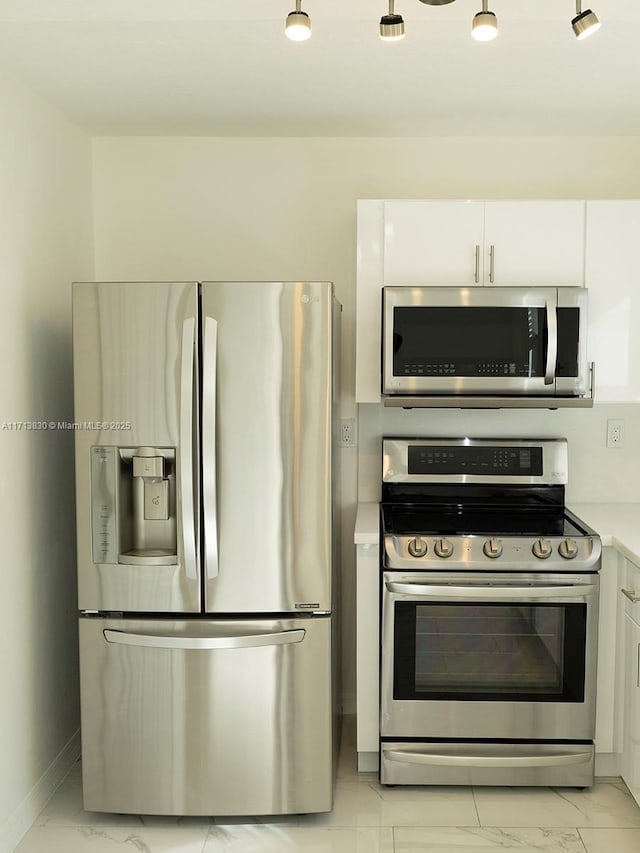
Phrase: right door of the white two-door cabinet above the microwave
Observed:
(534, 243)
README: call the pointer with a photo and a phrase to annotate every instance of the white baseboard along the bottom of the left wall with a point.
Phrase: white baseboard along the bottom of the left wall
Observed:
(22, 819)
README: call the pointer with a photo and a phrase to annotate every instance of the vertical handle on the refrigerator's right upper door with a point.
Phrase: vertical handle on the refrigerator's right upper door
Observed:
(209, 487)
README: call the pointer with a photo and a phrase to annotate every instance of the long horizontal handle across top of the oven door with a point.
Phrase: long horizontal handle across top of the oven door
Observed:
(492, 593)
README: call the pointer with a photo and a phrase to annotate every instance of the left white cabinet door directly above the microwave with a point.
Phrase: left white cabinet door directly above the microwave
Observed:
(433, 242)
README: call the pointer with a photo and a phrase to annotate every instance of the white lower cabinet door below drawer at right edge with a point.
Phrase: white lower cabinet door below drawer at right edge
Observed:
(631, 738)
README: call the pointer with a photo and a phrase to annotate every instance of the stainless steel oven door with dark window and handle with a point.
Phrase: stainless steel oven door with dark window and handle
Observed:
(498, 656)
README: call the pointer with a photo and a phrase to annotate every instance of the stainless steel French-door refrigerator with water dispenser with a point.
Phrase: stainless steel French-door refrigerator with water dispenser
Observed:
(205, 478)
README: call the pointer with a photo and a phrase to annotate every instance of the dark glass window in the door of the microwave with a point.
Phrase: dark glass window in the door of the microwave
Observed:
(469, 341)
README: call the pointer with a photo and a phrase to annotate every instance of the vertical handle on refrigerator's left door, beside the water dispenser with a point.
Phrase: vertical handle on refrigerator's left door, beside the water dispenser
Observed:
(186, 449)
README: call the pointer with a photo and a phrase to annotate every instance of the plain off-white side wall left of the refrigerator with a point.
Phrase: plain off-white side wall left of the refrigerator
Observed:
(45, 242)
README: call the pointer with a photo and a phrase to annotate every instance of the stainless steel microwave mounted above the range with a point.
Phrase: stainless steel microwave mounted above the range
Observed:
(493, 341)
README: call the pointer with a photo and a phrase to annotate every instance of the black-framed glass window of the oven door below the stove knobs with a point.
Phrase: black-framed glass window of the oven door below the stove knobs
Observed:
(492, 652)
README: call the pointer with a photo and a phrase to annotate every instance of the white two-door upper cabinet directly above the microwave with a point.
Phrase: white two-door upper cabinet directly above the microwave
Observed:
(484, 243)
